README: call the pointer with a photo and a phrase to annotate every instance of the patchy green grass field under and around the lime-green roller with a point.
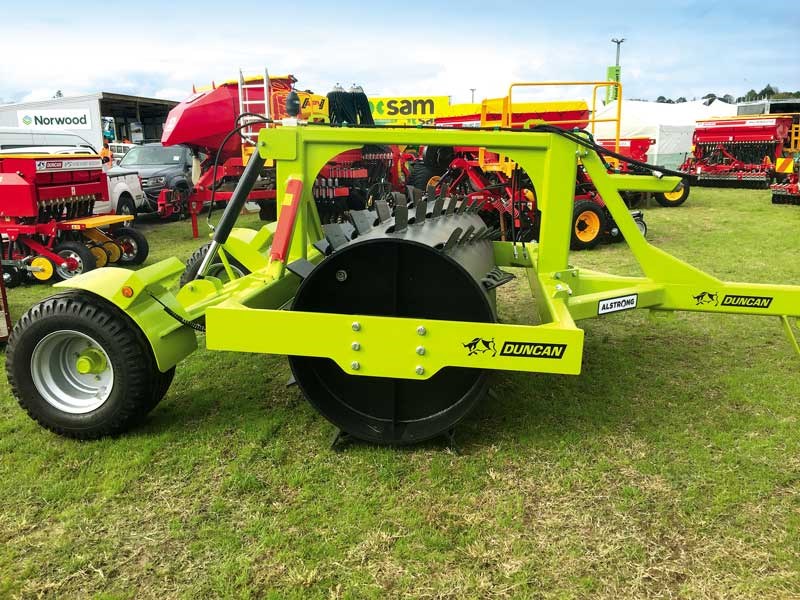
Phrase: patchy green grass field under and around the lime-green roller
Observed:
(669, 468)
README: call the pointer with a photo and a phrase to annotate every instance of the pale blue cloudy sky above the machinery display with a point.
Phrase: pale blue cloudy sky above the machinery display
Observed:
(158, 48)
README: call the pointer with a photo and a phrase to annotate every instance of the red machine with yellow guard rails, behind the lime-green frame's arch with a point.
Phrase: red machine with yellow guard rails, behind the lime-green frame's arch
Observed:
(508, 197)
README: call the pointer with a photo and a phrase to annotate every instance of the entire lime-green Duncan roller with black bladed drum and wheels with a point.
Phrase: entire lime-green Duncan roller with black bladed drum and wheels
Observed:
(389, 321)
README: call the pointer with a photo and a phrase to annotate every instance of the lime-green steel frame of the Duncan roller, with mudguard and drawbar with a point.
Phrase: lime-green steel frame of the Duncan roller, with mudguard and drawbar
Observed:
(245, 314)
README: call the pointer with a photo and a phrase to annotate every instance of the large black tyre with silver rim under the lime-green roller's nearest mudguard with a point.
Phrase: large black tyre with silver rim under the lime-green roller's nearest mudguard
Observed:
(133, 383)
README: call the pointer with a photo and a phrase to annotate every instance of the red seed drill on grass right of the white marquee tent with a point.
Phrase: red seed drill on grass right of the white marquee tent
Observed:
(746, 151)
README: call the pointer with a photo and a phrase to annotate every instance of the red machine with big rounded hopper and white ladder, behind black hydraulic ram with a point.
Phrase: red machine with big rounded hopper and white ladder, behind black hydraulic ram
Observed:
(204, 122)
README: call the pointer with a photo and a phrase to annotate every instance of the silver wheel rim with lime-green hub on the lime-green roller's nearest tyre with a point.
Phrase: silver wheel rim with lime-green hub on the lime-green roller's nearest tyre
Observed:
(55, 373)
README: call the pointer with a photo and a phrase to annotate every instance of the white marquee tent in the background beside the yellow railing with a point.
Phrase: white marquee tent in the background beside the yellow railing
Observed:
(670, 125)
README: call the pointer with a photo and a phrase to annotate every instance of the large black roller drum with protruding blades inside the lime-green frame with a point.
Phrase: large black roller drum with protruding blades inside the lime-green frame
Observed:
(428, 265)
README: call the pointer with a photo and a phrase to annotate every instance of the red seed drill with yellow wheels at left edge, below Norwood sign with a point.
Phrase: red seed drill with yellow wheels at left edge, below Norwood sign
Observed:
(46, 221)
